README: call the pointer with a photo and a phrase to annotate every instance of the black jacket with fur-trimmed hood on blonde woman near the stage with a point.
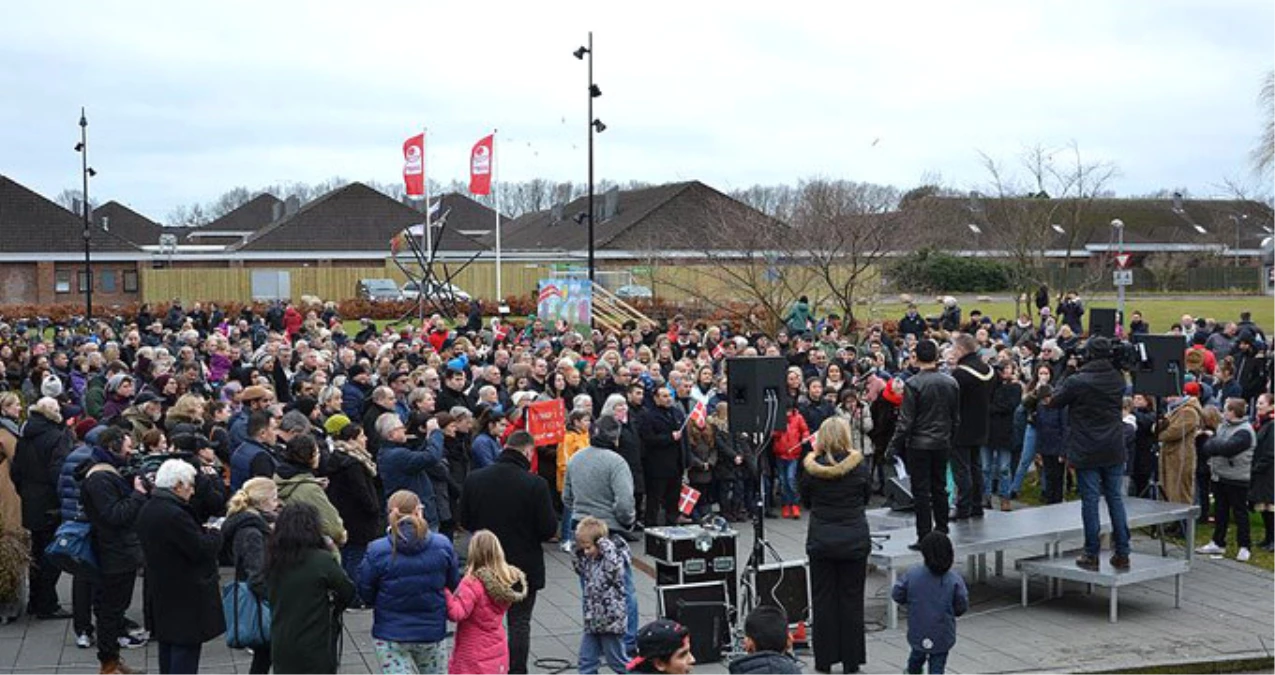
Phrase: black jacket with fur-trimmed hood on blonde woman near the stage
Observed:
(837, 496)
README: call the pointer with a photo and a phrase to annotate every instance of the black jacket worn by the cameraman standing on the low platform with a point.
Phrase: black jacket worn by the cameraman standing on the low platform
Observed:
(1093, 399)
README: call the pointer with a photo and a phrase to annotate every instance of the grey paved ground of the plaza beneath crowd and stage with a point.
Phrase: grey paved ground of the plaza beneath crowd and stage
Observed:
(1226, 616)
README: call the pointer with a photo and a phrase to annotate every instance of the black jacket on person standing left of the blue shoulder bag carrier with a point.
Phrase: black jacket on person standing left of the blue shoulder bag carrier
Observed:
(38, 465)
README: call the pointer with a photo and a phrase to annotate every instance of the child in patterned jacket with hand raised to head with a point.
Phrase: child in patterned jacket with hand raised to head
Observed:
(601, 565)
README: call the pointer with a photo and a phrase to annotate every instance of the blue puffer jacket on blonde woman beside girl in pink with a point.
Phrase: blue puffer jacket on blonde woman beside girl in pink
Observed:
(405, 586)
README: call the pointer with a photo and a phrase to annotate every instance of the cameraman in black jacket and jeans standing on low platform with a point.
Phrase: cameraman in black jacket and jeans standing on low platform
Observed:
(1096, 447)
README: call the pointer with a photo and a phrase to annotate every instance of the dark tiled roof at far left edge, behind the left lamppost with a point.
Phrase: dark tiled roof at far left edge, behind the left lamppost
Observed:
(31, 224)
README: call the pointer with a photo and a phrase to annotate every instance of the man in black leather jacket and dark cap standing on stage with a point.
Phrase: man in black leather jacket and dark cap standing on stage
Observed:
(928, 422)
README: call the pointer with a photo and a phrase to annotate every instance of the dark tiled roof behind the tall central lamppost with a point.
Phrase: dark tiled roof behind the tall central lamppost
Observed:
(651, 218)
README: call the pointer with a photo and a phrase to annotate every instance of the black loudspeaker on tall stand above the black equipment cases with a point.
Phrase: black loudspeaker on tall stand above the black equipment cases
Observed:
(752, 382)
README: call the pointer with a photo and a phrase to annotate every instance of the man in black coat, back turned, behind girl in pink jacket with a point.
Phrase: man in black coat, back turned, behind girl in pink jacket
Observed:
(516, 506)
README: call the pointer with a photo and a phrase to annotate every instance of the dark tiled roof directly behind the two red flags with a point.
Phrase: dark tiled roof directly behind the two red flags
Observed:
(355, 218)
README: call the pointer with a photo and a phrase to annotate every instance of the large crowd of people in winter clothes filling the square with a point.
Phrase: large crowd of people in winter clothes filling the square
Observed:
(336, 473)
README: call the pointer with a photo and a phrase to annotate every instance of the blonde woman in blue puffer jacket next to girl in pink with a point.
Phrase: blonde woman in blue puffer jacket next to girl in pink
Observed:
(405, 577)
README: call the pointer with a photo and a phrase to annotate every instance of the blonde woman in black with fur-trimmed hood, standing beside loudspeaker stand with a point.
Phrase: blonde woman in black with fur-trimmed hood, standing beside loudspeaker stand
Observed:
(836, 487)
